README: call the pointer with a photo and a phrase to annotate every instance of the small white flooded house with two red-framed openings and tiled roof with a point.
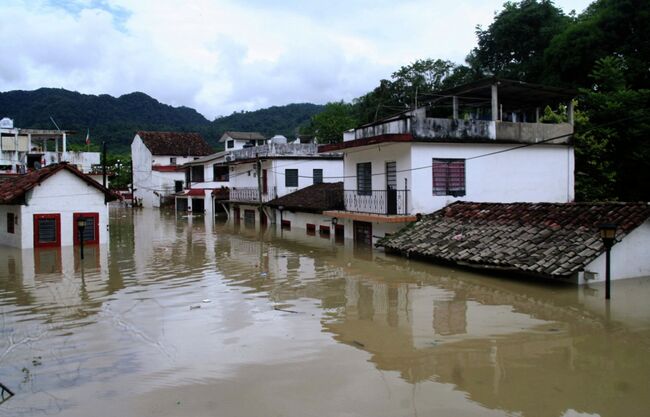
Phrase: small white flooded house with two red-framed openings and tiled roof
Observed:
(41, 208)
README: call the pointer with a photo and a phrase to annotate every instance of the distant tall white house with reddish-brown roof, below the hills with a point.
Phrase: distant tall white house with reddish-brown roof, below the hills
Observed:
(158, 159)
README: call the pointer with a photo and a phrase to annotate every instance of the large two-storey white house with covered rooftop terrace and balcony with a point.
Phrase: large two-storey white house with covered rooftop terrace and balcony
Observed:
(483, 141)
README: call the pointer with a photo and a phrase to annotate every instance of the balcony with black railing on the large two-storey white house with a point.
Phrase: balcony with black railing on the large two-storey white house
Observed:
(386, 206)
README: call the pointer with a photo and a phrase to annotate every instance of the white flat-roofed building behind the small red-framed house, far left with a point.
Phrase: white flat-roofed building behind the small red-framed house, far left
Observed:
(22, 150)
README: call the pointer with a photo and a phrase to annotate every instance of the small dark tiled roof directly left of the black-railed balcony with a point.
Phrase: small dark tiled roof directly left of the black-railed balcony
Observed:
(313, 199)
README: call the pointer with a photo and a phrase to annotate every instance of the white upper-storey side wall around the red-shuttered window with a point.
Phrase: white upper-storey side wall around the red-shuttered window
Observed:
(541, 173)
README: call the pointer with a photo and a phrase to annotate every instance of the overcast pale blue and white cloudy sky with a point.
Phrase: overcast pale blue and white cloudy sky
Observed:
(220, 56)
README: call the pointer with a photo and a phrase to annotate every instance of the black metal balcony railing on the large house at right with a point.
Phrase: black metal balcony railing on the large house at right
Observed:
(387, 202)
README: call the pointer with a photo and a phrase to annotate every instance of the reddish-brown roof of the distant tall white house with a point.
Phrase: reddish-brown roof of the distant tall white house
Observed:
(175, 143)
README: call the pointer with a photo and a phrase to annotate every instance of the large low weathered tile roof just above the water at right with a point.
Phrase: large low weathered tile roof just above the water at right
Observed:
(548, 239)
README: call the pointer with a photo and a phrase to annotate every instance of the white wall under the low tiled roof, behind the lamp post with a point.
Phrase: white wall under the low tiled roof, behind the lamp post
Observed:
(630, 258)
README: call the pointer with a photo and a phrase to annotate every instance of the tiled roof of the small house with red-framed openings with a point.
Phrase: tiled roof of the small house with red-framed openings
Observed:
(13, 189)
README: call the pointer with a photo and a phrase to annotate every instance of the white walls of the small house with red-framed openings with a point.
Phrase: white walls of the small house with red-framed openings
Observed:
(63, 193)
